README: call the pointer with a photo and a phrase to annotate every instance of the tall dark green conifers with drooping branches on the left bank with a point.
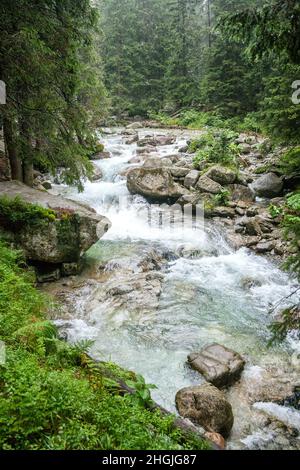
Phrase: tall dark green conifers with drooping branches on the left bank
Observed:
(55, 94)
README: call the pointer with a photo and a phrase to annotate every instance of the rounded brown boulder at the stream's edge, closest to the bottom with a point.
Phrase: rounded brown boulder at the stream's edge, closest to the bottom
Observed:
(206, 406)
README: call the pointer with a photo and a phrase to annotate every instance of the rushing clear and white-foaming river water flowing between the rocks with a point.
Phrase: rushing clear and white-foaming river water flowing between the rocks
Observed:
(210, 293)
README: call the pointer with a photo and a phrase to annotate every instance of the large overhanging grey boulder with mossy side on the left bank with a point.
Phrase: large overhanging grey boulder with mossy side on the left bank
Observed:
(74, 230)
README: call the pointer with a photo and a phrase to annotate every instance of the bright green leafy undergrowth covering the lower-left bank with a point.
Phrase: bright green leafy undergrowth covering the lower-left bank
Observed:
(51, 396)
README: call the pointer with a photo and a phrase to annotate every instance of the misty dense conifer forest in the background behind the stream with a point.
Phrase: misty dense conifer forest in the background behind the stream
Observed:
(194, 63)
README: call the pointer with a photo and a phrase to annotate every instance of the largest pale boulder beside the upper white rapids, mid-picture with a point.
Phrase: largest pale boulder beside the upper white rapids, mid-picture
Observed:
(155, 184)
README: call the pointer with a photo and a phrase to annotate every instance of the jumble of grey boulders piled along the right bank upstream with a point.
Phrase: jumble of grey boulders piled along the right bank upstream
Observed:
(250, 190)
